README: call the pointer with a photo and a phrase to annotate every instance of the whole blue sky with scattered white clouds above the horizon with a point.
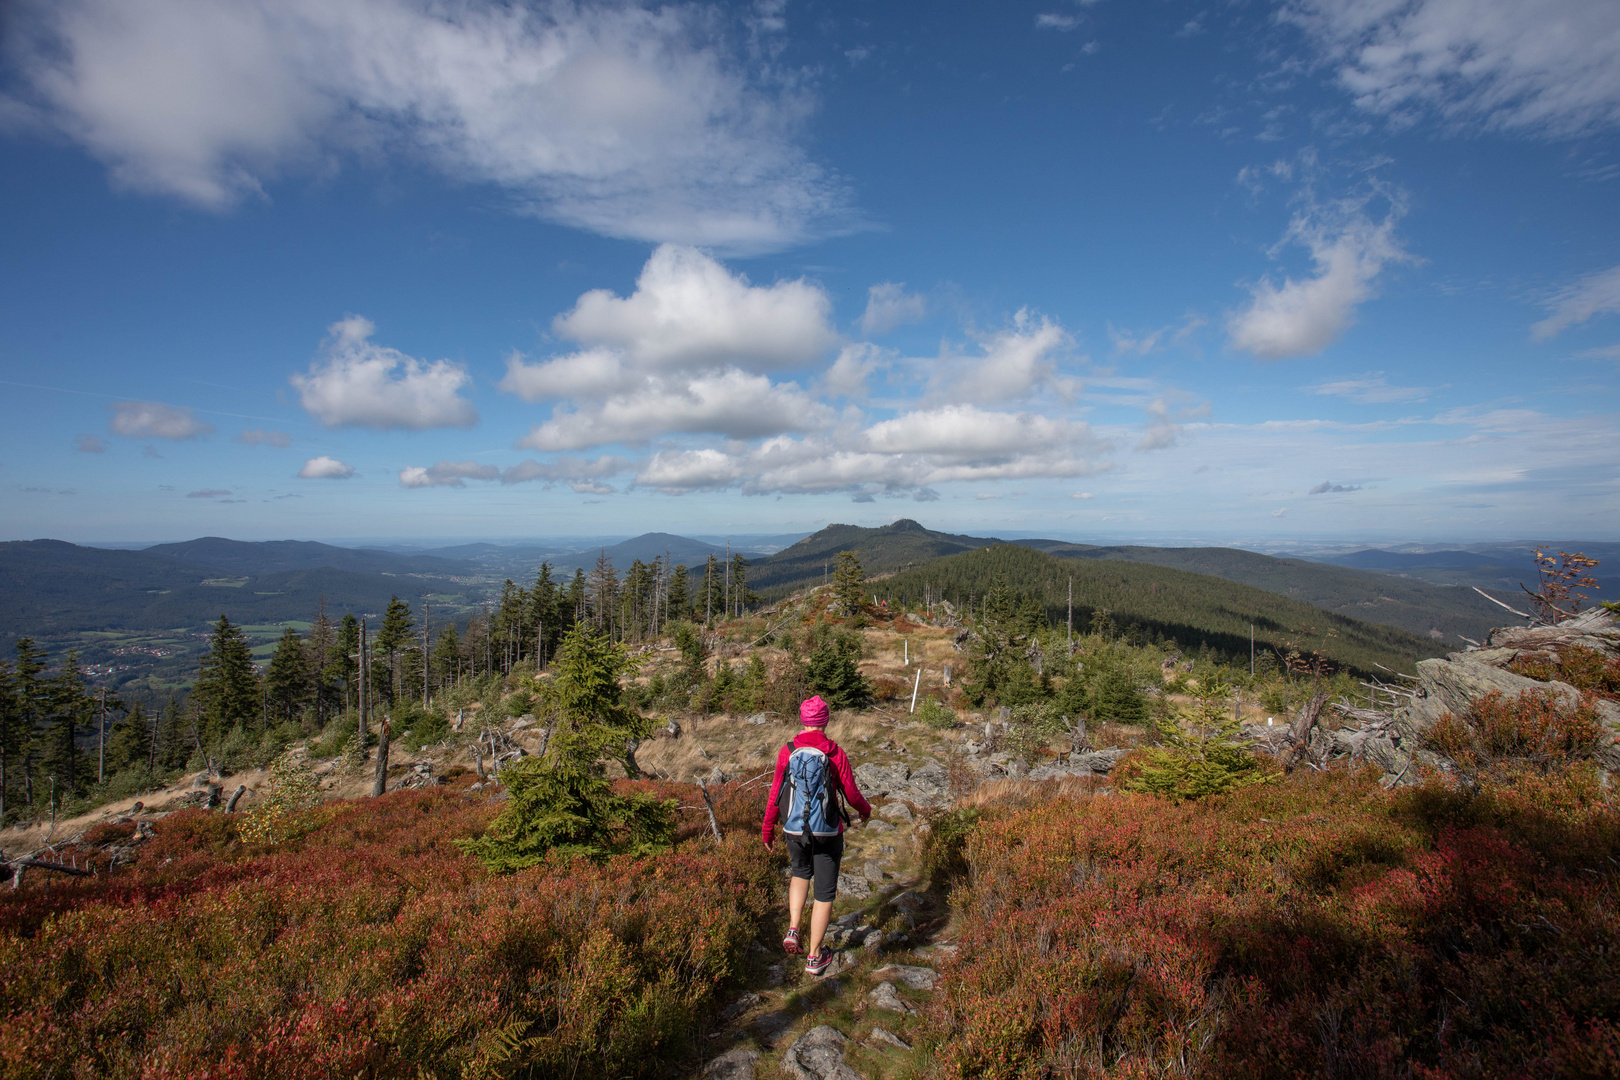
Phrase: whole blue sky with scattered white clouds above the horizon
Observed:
(1237, 273)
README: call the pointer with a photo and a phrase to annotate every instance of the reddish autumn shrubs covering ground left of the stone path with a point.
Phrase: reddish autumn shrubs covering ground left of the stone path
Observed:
(375, 948)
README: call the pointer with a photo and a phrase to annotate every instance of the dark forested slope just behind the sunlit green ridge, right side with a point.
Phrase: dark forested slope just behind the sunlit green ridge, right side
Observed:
(1438, 611)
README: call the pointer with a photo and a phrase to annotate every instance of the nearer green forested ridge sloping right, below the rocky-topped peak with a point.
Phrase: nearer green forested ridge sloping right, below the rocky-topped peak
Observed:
(1193, 610)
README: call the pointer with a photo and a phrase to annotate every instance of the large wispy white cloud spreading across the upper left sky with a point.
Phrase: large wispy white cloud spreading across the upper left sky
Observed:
(633, 122)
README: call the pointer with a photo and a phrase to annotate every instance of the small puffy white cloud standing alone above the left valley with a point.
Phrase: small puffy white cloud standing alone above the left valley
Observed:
(356, 385)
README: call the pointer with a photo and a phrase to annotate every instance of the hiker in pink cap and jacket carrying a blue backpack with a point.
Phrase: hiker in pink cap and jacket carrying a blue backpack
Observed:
(817, 776)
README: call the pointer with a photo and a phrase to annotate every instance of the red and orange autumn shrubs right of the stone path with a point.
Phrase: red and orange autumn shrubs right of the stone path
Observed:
(1321, 927)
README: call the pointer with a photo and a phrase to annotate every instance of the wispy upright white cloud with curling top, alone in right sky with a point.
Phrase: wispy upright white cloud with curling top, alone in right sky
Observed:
(1305, 317)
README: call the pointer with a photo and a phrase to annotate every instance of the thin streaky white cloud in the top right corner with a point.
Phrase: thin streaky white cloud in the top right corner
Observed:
(1543, 69)
